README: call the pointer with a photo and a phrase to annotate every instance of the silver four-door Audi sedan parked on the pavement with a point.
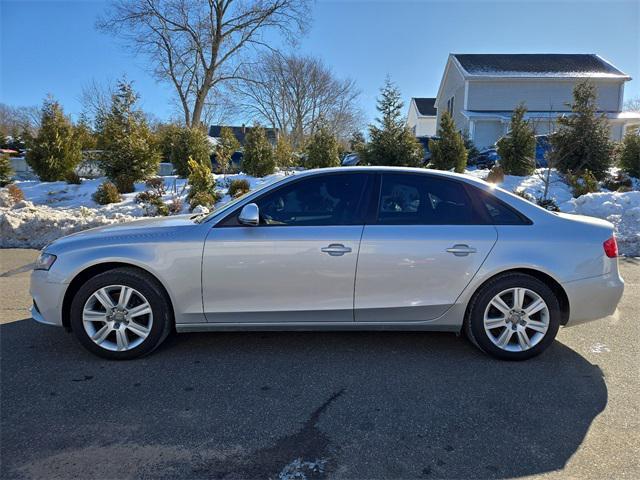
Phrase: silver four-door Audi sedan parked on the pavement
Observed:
(348, 248)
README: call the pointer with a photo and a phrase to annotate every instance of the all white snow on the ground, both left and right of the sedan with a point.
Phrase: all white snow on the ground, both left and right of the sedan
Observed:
(55, 209)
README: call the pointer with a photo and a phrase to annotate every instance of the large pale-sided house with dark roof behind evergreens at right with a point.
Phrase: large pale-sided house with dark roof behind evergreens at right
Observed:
(482, 90)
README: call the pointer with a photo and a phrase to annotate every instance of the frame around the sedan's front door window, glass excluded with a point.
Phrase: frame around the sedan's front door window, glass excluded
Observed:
(361, 210)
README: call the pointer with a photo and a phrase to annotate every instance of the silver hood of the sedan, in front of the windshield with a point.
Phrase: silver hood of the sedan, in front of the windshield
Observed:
(147, 227)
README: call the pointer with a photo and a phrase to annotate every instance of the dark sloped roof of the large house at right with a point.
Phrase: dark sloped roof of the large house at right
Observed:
(537, 65)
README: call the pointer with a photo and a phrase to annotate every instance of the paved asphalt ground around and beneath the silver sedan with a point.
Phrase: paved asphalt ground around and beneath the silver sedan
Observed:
(332, 405)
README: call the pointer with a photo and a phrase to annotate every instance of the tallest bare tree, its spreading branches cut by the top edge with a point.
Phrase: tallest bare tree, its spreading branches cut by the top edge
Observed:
(197, 45)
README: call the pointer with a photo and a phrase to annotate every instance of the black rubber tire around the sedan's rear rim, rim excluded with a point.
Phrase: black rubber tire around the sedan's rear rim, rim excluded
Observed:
(485, 295)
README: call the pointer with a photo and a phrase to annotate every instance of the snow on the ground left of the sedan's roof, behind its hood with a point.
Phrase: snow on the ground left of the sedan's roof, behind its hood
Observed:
(54, 209)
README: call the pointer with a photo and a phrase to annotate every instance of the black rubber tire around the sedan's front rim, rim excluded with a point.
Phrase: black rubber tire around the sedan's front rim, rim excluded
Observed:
(148, 287)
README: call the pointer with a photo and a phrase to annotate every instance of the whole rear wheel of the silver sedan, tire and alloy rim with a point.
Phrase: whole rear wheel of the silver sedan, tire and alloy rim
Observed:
(483, 326)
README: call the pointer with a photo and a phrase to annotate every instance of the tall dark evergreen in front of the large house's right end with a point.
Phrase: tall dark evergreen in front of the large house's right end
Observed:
(582, 139)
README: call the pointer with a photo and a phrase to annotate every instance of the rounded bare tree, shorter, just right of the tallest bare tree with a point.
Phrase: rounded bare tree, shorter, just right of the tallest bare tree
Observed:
(297, 94)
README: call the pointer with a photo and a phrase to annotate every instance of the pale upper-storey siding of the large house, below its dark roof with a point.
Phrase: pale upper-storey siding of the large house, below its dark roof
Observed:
(538, 95)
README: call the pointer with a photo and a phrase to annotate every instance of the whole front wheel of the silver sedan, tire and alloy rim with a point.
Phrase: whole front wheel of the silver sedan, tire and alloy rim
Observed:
(140, 319)
